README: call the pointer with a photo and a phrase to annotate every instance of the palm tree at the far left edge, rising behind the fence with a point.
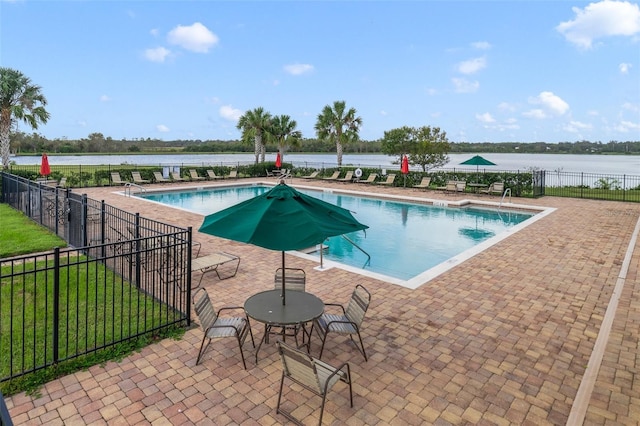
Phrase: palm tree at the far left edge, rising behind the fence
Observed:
(19, 100)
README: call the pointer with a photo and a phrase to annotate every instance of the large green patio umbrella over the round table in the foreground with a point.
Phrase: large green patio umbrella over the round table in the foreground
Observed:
(281, 219)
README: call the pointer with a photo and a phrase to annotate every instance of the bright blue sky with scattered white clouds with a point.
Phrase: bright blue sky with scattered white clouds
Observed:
(481, 71)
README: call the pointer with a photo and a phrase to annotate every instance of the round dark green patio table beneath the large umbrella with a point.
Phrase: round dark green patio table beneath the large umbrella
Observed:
(266, 307)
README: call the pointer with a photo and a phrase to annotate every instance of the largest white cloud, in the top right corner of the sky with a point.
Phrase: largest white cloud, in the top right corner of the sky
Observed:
(602, 19)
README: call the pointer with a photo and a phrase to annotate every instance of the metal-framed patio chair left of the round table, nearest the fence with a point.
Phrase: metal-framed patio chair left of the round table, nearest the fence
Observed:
(215, 326)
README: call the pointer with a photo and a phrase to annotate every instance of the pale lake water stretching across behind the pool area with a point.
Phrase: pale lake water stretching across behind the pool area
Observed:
(602, 164)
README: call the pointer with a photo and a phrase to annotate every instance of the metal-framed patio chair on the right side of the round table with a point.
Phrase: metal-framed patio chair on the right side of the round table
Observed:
(349, 322)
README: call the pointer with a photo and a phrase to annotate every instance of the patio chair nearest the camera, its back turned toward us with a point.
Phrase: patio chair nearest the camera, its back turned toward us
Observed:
(311, 374)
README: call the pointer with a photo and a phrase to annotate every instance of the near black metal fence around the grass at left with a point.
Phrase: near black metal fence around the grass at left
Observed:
(123, 277)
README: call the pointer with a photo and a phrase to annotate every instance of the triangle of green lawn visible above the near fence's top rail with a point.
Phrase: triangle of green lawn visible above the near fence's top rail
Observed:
(21, 235)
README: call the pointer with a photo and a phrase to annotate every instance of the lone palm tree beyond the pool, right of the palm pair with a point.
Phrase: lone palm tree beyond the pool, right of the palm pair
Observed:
(339, 126)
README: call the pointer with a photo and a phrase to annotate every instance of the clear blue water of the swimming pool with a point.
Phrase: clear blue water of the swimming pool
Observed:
(403, 240)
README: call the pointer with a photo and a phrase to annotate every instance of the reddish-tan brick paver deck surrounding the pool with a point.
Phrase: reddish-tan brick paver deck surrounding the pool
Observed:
(541, 328)
